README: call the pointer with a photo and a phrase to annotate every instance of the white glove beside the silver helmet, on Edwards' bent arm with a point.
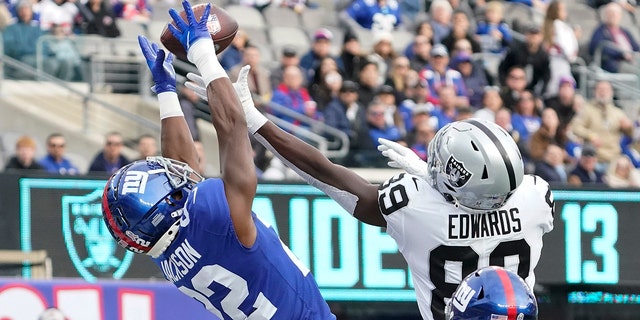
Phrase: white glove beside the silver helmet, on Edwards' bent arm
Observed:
(403, 158)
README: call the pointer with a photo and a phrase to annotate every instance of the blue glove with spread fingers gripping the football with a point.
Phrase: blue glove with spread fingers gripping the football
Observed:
(195, 30)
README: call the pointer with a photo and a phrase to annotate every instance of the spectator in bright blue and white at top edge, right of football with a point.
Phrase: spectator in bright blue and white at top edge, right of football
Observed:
(375, 15)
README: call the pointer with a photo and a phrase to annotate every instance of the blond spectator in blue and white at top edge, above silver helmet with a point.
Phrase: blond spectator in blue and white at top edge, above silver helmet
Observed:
(494, 34)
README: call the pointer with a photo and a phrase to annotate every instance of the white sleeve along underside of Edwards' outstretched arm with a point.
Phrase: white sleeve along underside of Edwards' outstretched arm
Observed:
(343, 198)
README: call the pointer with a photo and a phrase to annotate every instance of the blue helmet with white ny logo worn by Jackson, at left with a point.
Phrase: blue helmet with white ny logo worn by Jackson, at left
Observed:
(143, 201)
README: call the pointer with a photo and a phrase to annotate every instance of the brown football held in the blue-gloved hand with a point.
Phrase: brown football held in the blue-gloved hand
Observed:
(221, 25)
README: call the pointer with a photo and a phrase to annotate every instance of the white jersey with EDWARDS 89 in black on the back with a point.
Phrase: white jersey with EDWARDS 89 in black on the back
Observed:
(442, 243)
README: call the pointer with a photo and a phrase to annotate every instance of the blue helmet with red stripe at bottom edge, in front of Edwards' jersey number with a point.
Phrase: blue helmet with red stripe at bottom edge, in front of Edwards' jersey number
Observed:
(492, 293)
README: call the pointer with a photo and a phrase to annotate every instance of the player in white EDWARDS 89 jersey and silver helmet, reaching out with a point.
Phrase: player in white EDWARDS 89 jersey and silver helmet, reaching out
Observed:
(469, 206)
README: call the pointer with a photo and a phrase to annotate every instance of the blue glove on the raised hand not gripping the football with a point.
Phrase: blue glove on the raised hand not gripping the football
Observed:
(164, 76)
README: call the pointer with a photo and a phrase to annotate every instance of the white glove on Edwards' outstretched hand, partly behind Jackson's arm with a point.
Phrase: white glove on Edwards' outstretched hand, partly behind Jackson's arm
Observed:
(254, 118)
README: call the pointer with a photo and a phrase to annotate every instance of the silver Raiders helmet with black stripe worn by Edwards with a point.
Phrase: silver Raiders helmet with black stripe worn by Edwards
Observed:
(475, 164)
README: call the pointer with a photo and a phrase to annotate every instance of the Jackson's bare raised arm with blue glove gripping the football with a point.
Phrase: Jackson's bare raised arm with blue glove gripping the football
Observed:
(236, 157)
